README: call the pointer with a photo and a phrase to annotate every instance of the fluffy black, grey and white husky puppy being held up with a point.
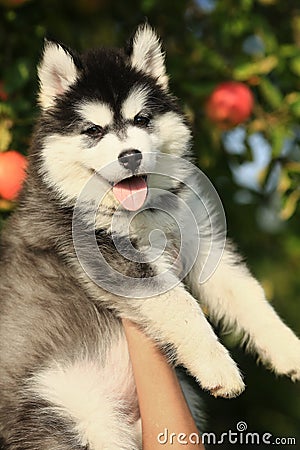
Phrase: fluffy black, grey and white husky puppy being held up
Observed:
(65, 375)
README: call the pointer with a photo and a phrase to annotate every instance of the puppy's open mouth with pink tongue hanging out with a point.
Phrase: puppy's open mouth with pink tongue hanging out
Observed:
(131, 193)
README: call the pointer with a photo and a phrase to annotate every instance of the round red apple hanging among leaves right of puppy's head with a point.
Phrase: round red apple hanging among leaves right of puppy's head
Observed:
(229, 104)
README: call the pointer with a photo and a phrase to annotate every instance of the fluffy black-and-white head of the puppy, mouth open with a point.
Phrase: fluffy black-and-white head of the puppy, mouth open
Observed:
(108, 114)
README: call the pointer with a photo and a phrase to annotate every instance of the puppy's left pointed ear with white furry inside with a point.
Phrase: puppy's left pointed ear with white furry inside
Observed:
(57, 71)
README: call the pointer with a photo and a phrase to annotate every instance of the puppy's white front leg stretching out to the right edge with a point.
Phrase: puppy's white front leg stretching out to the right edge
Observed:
(232, 295)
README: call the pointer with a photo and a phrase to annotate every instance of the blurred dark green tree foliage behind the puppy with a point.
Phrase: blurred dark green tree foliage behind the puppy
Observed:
(253, 41)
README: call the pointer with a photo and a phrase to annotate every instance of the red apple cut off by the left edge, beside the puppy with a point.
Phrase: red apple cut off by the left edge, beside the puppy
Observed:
(12, 174)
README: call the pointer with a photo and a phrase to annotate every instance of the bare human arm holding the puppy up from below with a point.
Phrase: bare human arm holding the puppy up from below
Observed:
(161, 400)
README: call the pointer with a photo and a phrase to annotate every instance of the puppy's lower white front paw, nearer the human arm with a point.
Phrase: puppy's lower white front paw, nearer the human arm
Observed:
(219, 374)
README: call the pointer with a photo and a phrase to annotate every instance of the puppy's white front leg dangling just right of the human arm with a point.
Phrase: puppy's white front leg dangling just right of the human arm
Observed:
(174, 318)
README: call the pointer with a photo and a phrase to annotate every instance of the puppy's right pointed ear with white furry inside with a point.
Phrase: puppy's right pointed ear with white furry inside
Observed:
(147, 56)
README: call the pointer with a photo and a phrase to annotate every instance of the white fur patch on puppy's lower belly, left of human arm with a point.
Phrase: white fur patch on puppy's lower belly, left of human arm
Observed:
(99, 401)
